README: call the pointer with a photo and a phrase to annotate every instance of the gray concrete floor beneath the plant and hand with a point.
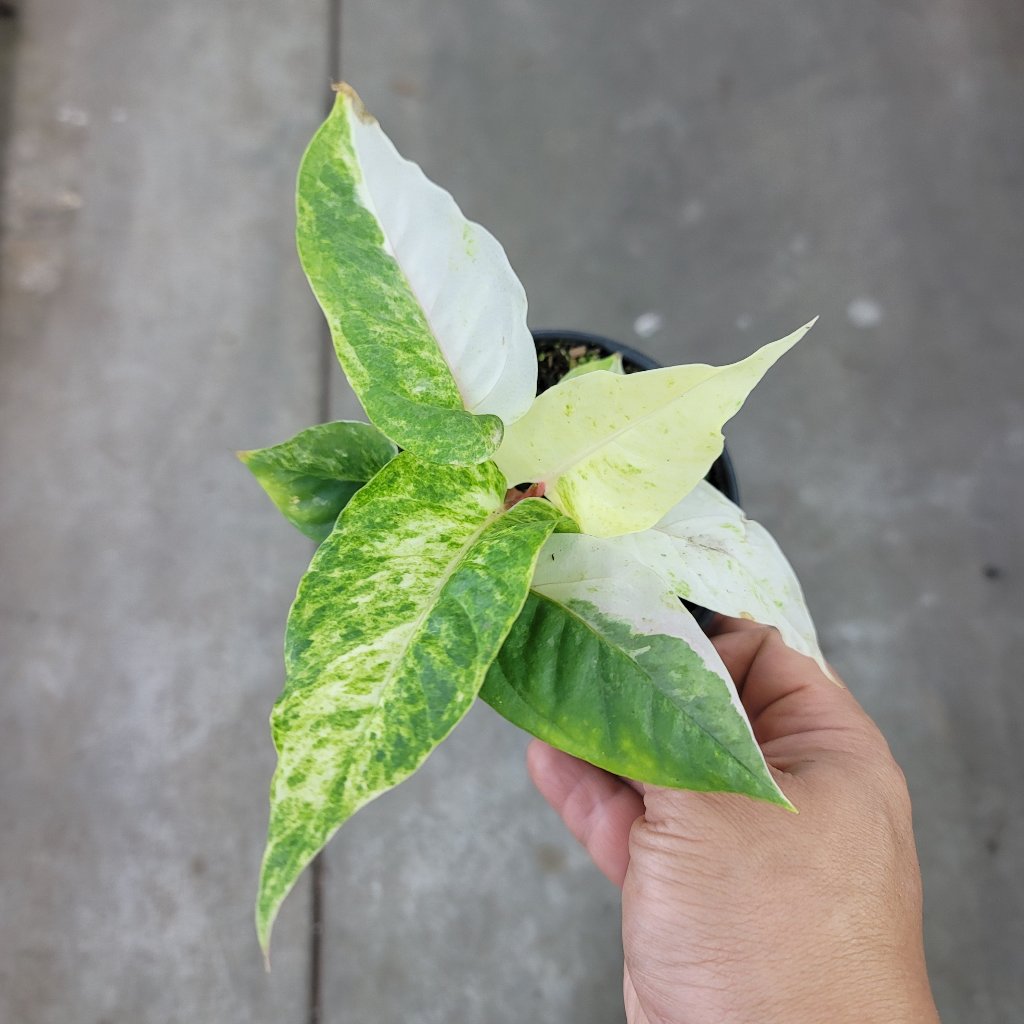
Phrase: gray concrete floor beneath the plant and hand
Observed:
(693, 179)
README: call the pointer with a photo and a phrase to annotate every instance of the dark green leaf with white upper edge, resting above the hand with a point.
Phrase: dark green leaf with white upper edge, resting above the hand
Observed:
(606, 663)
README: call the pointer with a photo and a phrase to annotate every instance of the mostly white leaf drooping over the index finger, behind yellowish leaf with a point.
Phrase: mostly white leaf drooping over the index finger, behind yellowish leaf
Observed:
(711, 554)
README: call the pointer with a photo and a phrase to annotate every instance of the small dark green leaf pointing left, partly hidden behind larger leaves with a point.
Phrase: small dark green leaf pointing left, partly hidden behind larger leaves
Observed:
(312, 477)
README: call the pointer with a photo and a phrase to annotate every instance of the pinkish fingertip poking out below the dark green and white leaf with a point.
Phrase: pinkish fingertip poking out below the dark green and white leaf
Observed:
(598, 808)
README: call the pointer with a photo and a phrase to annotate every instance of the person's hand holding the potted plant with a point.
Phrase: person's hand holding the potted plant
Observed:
(737, 912)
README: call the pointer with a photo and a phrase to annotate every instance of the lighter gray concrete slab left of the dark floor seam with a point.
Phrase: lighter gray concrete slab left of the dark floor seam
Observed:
(153, 321)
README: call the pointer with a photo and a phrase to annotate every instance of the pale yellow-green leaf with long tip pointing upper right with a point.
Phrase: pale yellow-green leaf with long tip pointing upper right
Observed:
(617, 453)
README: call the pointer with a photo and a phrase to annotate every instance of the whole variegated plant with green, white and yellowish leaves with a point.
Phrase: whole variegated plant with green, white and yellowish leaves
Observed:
(437, 581)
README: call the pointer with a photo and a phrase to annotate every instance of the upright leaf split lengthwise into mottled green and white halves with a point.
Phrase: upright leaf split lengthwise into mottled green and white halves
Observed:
(428, 317)
